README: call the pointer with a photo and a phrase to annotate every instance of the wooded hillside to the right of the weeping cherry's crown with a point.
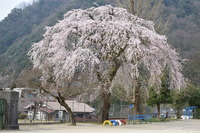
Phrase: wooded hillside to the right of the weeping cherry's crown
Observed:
(184, 34)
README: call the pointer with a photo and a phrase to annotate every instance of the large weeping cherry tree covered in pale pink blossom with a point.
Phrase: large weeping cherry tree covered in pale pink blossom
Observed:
(98, 42)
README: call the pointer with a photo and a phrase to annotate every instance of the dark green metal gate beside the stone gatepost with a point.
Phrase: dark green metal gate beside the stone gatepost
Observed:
(2, 113)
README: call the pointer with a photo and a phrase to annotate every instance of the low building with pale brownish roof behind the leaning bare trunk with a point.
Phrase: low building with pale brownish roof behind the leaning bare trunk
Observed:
(53, 111)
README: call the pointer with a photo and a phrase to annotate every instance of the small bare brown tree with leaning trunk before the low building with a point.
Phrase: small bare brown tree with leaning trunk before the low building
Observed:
(61, 89)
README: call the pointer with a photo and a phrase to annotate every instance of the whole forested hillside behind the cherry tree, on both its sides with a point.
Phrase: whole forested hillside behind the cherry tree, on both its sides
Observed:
(24, 26)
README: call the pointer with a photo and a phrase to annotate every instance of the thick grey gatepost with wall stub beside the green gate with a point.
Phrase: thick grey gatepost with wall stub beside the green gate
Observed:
(11, 97)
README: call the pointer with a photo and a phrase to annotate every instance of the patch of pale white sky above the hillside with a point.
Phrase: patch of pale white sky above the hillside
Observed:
(7, 5)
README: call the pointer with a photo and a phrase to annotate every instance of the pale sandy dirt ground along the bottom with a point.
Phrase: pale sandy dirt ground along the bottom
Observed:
(182, 126)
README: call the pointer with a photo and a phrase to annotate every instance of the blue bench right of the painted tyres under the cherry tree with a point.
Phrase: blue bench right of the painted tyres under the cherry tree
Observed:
(140, 118)
